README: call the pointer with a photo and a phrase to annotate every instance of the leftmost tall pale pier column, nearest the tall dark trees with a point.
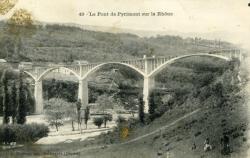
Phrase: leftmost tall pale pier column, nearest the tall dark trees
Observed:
(38, 94)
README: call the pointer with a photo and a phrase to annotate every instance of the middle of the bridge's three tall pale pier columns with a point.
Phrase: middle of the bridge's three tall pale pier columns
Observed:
(83, 92)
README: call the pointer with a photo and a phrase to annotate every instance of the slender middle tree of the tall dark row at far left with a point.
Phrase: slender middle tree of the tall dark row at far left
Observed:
(13, 103)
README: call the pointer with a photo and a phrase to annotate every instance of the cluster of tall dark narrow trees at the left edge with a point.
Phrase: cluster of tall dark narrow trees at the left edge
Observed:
(15, 102)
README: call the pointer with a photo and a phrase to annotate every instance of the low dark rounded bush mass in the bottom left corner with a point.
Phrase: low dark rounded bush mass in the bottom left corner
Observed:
(22, 133)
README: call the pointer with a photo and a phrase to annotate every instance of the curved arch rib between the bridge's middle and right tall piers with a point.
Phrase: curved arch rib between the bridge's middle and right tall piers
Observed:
(118, 63)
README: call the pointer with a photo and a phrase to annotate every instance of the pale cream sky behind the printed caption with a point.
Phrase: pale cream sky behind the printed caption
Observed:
(225, 19)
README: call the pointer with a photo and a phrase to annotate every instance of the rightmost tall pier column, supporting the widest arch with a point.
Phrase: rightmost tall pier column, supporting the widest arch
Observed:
(147, 87)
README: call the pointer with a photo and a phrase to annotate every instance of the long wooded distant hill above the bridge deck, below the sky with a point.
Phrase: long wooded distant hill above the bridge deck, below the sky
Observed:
(61, 43)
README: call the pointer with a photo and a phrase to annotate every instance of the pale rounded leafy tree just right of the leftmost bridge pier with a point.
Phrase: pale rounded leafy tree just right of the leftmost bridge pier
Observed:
(55, 112)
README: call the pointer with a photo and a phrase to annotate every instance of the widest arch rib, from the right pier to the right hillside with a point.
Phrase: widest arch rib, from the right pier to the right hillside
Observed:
(160, 68)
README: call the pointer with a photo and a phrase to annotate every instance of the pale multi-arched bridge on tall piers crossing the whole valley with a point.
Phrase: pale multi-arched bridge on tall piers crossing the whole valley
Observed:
(147, 67)
